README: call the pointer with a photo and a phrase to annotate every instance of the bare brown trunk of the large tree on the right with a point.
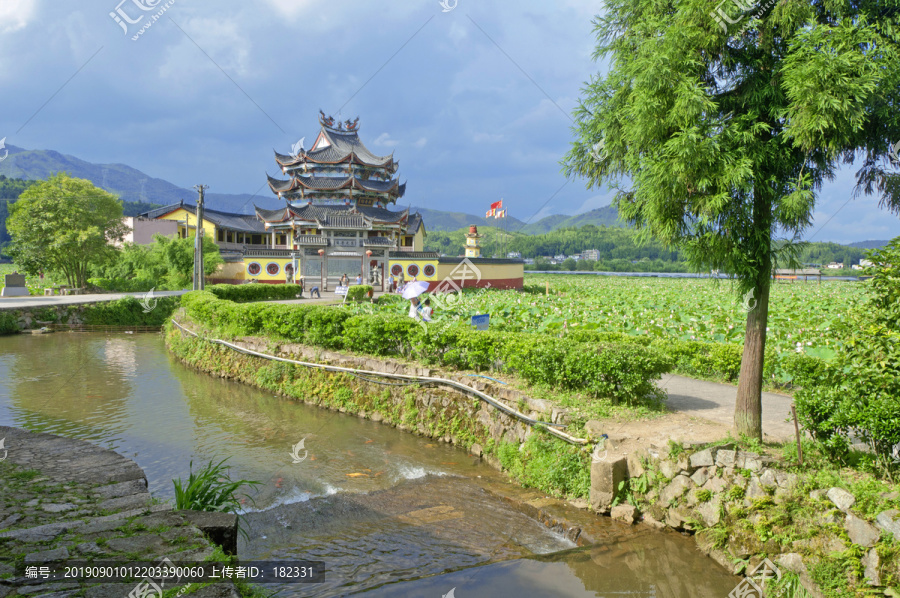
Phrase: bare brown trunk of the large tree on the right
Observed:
(748, 407)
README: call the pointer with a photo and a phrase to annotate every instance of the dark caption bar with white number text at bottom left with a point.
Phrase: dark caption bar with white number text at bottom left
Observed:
(171, 573)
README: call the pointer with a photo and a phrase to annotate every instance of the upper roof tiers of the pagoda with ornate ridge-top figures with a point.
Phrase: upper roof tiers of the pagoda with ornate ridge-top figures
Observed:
(338, 169)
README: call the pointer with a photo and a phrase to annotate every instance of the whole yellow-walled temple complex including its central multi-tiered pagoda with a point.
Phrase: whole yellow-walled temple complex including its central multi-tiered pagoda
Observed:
(336, 219)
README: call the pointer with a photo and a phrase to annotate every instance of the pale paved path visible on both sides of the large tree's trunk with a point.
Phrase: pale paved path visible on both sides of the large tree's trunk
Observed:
(715, 402)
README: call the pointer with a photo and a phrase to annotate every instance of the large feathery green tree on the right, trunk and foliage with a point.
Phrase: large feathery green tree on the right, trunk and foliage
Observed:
(717, 127)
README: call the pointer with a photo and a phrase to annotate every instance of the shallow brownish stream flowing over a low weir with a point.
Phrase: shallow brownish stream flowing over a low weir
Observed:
(387, 512)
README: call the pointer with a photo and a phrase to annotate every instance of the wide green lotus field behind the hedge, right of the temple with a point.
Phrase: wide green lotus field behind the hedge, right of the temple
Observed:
(801, 315)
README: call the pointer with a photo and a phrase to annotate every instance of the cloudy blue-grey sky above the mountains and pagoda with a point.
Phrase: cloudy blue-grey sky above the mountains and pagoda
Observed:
(473, 98)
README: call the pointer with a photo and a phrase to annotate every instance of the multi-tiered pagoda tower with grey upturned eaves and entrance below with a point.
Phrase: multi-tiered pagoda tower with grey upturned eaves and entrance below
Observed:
(336, 212)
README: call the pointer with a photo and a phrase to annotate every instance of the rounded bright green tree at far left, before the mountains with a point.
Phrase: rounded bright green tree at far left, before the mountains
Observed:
(64, 225)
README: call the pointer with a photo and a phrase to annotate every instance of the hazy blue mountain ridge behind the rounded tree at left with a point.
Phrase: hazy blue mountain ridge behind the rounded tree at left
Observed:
(128, 183)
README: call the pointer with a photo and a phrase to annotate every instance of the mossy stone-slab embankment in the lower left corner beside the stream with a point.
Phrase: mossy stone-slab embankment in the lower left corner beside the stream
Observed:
(64, 500)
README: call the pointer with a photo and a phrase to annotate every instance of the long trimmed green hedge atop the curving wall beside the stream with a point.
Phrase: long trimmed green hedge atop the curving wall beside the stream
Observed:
(616, 370)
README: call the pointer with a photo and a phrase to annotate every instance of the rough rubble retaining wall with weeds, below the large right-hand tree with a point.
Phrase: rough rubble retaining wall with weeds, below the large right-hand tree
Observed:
(729, 497)
